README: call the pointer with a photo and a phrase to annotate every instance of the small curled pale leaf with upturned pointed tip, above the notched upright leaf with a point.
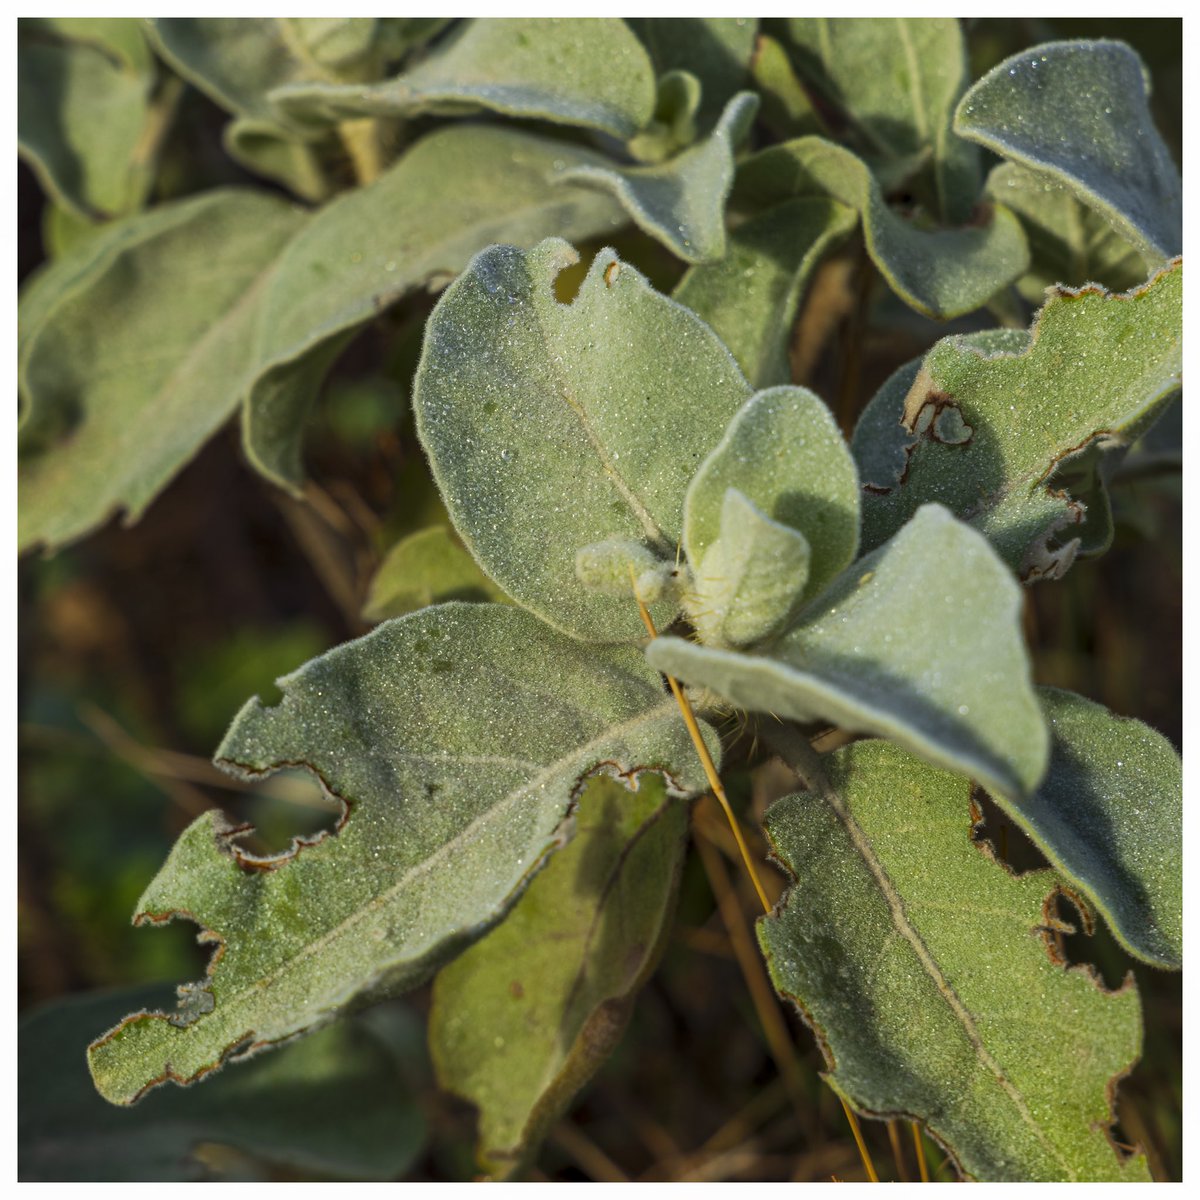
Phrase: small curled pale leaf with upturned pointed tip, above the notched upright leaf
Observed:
(681, 202)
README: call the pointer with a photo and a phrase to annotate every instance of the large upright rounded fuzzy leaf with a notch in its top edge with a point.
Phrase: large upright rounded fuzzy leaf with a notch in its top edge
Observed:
(553, 427)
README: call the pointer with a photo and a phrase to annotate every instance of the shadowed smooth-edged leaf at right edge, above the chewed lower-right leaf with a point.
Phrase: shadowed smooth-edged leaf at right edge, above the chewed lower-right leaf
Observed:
(1109, 815)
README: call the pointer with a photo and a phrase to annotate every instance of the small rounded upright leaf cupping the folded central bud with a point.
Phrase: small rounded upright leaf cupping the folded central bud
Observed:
(785, 453)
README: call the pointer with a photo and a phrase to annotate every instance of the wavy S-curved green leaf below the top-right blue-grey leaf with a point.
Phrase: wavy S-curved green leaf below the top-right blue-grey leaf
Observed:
(940, 273)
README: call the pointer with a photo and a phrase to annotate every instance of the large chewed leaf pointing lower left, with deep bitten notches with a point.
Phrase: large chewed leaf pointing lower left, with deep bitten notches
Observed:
(457, 740)
